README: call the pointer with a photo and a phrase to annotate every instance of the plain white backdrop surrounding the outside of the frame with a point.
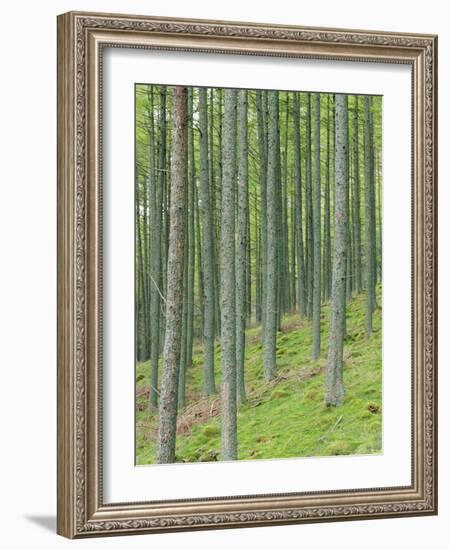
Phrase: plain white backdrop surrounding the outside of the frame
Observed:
(28, 274)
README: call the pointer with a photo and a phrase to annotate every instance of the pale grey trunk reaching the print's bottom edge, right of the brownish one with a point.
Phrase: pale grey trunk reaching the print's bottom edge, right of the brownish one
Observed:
(227, 278)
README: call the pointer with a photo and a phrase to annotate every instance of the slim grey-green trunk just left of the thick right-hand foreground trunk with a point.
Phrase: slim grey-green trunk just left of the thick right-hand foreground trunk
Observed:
(316, 210)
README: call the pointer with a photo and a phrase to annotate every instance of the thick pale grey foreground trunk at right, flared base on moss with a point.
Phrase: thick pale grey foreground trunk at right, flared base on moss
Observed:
(334, 391)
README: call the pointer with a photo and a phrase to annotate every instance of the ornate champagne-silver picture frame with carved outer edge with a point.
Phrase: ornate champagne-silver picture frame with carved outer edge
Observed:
(81, 37)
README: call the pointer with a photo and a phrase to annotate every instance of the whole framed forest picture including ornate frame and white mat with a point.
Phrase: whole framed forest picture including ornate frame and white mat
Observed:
(247, 279)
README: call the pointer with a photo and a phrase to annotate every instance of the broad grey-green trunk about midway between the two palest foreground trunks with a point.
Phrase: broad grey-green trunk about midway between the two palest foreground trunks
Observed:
(270, 305)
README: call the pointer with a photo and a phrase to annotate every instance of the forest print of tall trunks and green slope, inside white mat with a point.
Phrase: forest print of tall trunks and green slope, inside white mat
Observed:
(258, 274)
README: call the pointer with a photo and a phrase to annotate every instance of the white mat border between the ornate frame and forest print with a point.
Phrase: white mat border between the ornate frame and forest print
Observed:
(122, 481)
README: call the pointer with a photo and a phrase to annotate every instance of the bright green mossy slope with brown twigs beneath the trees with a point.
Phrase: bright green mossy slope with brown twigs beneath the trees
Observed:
(287, 417)
